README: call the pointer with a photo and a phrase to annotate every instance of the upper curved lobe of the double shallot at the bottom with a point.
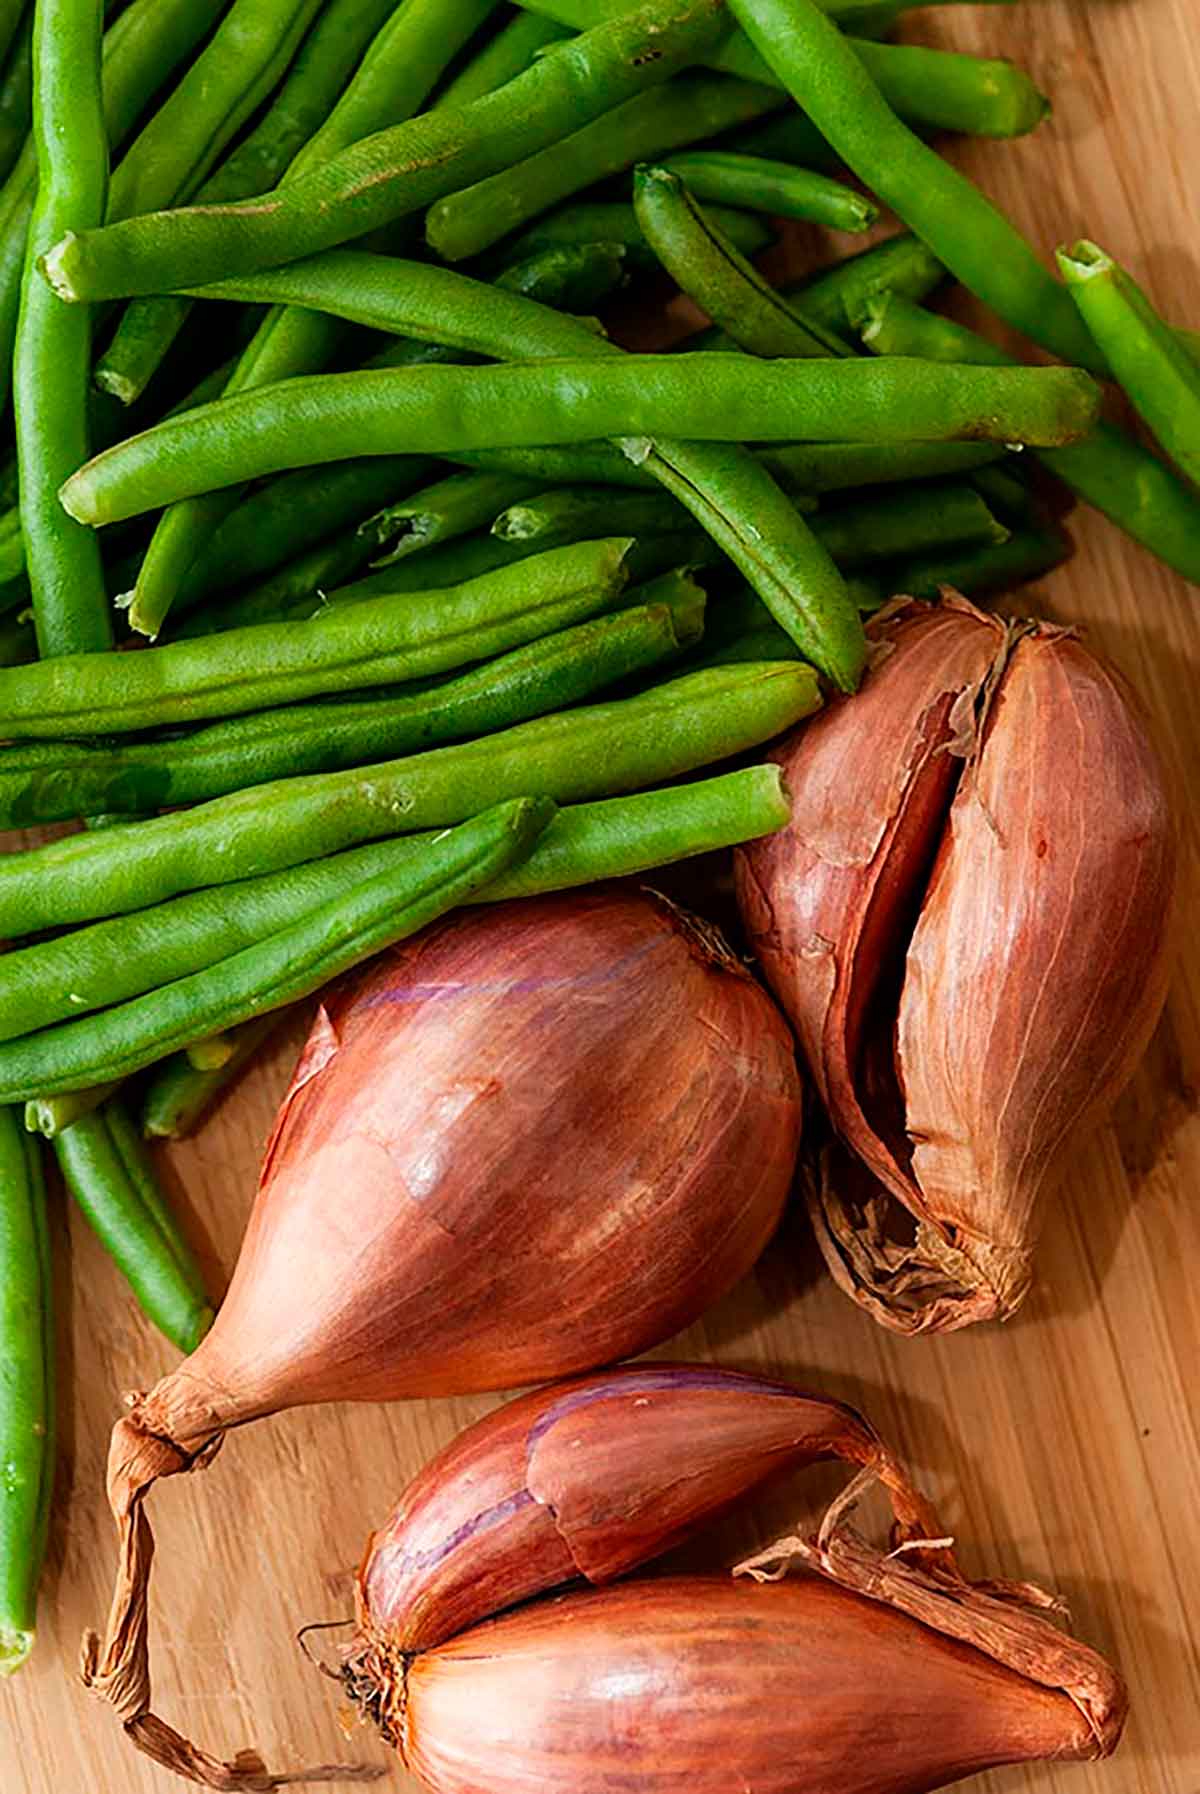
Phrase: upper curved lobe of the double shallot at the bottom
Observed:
(589, 1479)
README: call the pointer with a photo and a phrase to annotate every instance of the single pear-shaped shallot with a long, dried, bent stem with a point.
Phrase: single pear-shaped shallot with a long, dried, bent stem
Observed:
(528, 1142)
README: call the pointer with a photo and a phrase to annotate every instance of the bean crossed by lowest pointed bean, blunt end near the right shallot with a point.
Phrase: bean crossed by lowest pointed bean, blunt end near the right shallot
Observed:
(587, 842)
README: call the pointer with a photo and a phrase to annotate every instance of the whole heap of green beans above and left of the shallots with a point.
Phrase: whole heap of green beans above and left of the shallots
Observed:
(460, 598)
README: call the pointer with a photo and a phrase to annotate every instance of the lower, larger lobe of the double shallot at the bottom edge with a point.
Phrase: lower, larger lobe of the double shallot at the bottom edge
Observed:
(702, 1685)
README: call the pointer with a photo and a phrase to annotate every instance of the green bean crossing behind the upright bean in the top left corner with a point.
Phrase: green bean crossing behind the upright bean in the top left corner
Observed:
(141, 53)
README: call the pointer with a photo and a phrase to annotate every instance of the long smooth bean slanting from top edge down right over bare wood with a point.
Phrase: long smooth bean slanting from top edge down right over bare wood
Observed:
(966, 231)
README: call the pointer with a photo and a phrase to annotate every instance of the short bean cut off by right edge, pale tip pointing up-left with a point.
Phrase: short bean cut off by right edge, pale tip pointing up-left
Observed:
(1156, 372)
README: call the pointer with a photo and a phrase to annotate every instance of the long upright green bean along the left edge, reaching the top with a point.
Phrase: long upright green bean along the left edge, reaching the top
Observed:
(53, 358)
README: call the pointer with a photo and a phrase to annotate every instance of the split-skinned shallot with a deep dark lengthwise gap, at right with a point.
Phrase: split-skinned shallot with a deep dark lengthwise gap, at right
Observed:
(970, 923)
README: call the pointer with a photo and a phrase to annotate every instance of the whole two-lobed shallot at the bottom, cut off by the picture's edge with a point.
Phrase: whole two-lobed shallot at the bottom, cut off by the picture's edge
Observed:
(873, 1675)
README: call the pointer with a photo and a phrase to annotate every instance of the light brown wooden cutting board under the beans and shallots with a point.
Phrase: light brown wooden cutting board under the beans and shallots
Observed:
(1061, 1449)
